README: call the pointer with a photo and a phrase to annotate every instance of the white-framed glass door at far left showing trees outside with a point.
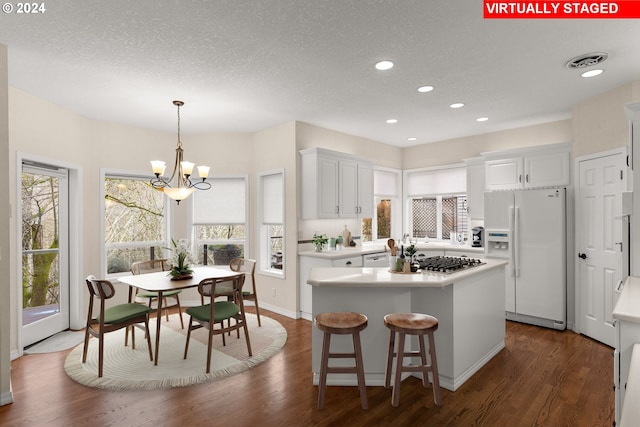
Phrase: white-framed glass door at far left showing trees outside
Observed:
(45, 264)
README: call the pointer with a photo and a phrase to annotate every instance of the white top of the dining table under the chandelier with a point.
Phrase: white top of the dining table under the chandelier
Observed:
(161, 281)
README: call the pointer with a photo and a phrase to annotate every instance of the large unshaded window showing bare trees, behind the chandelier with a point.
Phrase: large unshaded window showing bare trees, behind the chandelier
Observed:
(135, 222)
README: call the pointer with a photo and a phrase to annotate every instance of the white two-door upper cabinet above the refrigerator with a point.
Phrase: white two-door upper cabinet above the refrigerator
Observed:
(533, 170)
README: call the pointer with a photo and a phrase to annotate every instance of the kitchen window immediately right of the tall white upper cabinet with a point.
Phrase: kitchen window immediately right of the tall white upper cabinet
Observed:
(386, 222)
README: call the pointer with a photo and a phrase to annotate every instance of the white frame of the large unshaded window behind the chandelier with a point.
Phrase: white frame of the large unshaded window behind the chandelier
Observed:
(124, 174)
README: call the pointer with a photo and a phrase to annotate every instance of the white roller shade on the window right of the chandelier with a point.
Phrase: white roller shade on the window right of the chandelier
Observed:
(224, 203)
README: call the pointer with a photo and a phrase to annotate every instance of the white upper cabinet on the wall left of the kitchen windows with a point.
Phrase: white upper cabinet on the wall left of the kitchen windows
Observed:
(335, 185)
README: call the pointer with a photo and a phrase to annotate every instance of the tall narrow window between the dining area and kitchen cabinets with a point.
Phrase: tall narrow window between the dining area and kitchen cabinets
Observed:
(271, 200)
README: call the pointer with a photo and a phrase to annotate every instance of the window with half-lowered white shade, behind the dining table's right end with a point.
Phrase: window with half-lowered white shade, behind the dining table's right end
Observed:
(220, 221)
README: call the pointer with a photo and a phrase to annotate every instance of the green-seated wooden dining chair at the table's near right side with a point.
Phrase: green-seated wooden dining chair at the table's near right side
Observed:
(216, 312)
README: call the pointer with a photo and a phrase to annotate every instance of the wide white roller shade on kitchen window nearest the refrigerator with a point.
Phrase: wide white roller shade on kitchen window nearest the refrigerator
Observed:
(439, 181)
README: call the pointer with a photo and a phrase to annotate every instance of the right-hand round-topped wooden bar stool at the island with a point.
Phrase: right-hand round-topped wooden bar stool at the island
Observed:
(411, 324)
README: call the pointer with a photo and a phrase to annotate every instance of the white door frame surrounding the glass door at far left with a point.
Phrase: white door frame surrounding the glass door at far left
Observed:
(76, 281)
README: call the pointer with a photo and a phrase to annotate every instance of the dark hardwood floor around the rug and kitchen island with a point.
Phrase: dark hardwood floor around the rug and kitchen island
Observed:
(542, 378)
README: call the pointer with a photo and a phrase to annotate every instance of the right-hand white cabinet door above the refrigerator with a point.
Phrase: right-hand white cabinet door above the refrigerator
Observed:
(546, 170)
